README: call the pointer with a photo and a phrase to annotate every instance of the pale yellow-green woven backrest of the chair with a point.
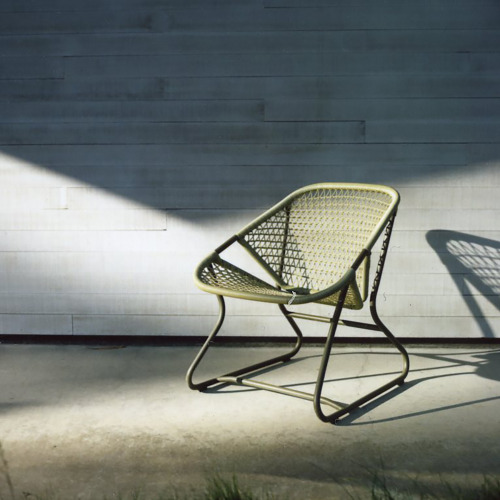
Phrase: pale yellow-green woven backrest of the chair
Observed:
(311, 238)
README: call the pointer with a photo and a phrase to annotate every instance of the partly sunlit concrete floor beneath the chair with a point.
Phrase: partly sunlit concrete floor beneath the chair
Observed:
(87, 422)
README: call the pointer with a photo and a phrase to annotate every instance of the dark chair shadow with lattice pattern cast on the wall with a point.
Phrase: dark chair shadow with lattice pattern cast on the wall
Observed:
(471, 261)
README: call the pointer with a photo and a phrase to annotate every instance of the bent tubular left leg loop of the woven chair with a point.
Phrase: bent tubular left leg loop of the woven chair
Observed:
(201, 386)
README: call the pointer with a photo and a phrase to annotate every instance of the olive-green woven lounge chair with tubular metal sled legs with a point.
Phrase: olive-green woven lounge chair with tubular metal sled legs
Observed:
(315, 245)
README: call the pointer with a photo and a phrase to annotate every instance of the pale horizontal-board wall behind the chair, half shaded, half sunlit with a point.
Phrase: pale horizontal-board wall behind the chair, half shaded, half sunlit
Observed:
(136, 135)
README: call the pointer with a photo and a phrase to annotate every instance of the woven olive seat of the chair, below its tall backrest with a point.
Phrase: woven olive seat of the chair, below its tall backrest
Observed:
(223, 278)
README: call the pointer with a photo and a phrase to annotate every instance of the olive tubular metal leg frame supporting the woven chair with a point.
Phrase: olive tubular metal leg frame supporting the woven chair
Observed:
(238, 377)
